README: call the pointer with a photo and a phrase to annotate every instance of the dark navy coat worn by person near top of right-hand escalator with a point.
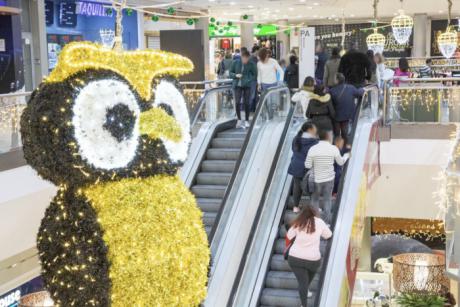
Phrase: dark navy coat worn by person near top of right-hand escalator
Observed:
(343, 99)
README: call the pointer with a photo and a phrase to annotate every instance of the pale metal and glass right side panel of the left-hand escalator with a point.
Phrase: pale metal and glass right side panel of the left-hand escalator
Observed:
(233, 222)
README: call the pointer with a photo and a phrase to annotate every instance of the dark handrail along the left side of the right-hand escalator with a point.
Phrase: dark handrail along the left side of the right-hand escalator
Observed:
(260, 207)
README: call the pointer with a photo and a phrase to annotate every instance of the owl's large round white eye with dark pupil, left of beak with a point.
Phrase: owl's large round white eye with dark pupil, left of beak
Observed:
(106, 124)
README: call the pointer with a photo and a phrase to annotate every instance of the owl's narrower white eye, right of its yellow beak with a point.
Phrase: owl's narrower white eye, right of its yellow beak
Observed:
(169, 97)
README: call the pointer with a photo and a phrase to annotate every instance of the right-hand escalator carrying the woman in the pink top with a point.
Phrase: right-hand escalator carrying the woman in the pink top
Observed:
(264, 278)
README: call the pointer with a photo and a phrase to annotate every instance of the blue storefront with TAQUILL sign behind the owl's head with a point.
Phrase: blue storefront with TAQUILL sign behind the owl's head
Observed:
(68, 21)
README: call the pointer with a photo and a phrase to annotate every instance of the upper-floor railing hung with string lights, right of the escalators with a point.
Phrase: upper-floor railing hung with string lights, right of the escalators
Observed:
(422, 100)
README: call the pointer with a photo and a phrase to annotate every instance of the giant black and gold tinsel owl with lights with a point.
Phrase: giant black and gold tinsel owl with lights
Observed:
(110, 129)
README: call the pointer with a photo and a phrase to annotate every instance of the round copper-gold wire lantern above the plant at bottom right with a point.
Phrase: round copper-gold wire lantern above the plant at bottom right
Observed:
(420, 273)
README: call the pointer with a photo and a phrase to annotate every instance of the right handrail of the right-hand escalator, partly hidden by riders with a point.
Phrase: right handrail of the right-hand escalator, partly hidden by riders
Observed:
(340, 191)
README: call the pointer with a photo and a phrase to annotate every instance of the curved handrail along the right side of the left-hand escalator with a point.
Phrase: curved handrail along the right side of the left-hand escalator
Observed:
(260, 106)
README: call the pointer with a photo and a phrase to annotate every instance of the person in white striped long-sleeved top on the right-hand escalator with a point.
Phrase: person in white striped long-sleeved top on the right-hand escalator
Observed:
(321, 158)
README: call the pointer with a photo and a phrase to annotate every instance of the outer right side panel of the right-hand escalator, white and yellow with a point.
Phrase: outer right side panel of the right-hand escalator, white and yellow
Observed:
(342, 252)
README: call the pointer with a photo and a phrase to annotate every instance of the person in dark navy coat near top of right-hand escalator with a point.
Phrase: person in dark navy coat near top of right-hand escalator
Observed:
(344, 98)
